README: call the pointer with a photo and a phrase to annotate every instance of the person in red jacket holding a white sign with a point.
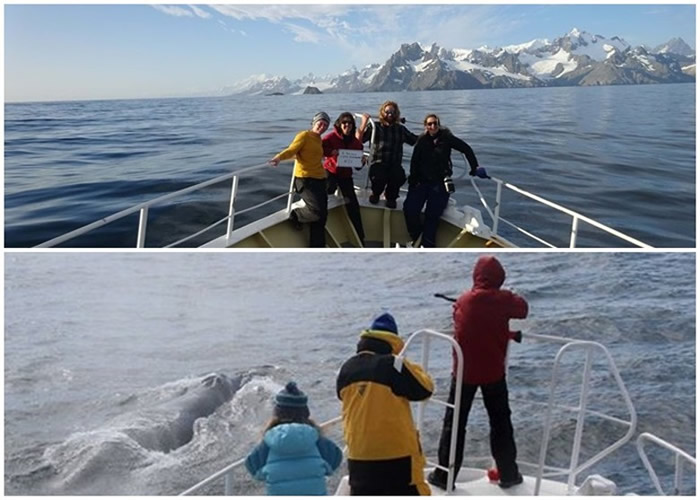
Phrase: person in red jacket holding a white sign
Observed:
(343, 137)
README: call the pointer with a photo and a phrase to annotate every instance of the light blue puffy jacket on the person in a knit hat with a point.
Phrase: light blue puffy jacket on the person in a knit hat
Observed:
(294, 459)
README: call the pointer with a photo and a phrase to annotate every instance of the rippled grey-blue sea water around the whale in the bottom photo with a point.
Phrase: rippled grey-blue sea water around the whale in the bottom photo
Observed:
(97, 344)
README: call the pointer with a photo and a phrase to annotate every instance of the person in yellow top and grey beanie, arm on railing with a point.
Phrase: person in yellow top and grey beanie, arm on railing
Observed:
(309, 179)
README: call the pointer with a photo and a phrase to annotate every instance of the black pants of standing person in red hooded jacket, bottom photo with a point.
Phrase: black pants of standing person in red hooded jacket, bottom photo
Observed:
(501, 436)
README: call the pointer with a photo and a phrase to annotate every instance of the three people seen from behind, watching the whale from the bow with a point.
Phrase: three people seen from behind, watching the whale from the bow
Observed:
(375, 387)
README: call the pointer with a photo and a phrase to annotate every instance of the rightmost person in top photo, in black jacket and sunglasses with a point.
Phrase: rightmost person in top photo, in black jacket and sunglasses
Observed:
(430, 183)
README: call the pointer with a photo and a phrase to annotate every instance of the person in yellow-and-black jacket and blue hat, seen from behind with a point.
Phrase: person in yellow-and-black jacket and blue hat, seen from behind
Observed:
(384, 452)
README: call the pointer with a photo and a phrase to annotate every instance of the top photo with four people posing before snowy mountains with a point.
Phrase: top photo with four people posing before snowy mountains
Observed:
(350, 126)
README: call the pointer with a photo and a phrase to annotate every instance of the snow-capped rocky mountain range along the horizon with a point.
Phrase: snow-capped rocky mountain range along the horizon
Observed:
(577, 58)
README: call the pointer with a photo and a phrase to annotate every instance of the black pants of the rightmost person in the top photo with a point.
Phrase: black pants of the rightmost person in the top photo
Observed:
(434, 198)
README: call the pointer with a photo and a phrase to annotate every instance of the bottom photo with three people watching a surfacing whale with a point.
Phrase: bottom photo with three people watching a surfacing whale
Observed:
(350, 373)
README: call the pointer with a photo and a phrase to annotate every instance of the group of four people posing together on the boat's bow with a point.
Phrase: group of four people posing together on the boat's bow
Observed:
(317, 173)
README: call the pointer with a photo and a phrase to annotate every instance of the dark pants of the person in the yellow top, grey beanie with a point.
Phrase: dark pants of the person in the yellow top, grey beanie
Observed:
(315, 213)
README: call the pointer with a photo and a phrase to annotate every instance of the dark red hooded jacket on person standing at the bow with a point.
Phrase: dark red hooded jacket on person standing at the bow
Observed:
(481, 318)
